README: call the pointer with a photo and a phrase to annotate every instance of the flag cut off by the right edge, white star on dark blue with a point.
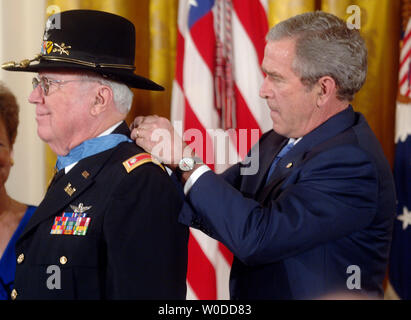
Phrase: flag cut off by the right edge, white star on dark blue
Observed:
(400, 259)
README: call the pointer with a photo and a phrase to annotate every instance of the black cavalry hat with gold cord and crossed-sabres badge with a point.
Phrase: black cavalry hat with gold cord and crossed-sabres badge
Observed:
(88, 40)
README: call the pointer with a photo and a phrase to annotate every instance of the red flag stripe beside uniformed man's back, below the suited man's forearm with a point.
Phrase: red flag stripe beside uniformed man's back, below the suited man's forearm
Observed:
(200, 272)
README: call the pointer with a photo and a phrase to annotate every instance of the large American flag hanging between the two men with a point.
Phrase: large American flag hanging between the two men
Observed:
(218, 76)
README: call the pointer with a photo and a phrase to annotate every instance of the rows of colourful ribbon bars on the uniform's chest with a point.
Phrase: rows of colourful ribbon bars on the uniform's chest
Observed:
(71, 223)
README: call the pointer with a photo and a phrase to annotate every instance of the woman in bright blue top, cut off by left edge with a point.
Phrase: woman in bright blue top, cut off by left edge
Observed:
(13, 214)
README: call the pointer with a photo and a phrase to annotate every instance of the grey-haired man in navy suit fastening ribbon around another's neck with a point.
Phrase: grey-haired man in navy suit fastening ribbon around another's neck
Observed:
(316, 220)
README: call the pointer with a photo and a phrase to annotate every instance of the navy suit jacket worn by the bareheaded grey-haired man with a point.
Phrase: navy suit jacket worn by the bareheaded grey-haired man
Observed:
(329, 205)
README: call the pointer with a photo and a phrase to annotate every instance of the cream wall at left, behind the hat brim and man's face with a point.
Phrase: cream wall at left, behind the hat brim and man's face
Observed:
(21, 30)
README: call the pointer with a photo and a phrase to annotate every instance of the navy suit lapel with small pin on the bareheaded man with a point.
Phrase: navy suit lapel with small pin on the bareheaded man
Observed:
(332, 127)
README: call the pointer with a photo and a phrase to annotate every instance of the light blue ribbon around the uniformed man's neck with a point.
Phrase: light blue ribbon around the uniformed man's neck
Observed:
(89, 148)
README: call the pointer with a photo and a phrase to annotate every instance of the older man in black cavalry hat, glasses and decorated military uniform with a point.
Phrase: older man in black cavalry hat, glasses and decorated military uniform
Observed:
(107, 227)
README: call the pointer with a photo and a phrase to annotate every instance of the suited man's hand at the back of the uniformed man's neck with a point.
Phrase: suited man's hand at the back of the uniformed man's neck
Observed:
(157, 136)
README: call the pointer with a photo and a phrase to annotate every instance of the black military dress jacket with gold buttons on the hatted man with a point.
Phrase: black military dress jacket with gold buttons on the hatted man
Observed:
(133, 248)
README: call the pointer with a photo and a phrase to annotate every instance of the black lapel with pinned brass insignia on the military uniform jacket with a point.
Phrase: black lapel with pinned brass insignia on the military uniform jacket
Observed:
(75, 182)
